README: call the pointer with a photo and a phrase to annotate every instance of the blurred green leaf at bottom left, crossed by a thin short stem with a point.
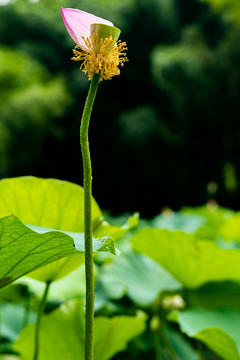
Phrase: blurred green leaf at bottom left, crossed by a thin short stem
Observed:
(67, 322)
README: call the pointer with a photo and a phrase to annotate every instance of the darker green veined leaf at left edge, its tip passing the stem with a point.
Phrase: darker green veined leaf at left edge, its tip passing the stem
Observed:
(24, 250)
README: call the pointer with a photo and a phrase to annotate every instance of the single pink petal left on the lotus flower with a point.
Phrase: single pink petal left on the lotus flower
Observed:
(78, 24)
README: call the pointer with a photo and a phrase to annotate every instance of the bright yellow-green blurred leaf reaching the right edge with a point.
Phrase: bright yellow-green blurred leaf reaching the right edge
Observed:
(192, 261)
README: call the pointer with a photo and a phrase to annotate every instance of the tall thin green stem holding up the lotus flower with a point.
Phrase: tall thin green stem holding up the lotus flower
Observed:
(87, 182)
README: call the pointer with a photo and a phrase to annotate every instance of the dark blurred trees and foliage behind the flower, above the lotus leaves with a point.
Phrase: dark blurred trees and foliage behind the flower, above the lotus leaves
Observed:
(162, 134)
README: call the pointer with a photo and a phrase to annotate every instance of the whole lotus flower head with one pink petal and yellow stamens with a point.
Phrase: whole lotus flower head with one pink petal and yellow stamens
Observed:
(97, 43)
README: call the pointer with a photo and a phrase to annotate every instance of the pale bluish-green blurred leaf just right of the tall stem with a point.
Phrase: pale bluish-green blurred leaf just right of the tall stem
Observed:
(138, 276)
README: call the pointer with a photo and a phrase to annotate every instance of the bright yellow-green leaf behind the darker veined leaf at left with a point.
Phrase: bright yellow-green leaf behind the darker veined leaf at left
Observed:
(48, 204)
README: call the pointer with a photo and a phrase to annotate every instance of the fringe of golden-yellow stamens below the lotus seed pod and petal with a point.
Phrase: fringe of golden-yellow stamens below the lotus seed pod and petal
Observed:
(102, 56)
